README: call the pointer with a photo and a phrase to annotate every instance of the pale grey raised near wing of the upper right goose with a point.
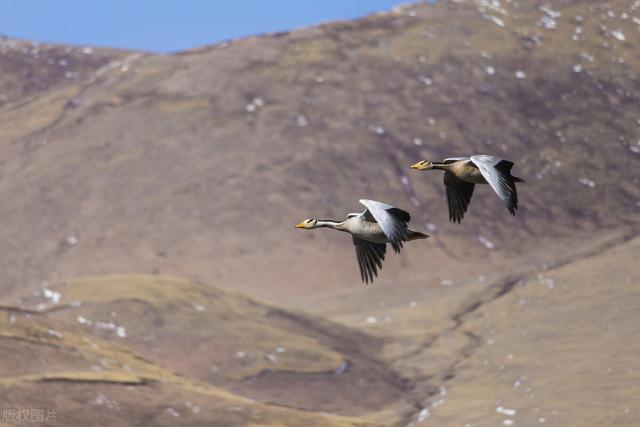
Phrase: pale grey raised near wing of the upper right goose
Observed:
(497, 172)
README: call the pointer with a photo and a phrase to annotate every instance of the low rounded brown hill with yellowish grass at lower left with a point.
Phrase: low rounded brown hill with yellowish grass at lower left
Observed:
(156, 350)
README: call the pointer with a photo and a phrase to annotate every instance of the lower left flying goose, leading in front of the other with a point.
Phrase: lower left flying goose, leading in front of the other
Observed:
(371, 230)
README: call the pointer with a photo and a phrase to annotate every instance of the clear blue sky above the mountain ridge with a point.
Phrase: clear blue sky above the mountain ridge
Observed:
(168, 25)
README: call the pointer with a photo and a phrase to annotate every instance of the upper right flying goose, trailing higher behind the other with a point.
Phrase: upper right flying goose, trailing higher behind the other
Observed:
(462, 173)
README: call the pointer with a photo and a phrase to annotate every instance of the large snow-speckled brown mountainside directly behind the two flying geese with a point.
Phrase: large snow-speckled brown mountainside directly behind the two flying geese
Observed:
(199, 164)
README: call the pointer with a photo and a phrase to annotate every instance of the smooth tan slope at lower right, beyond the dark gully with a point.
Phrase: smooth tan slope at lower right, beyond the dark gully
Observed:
(557, 349)
